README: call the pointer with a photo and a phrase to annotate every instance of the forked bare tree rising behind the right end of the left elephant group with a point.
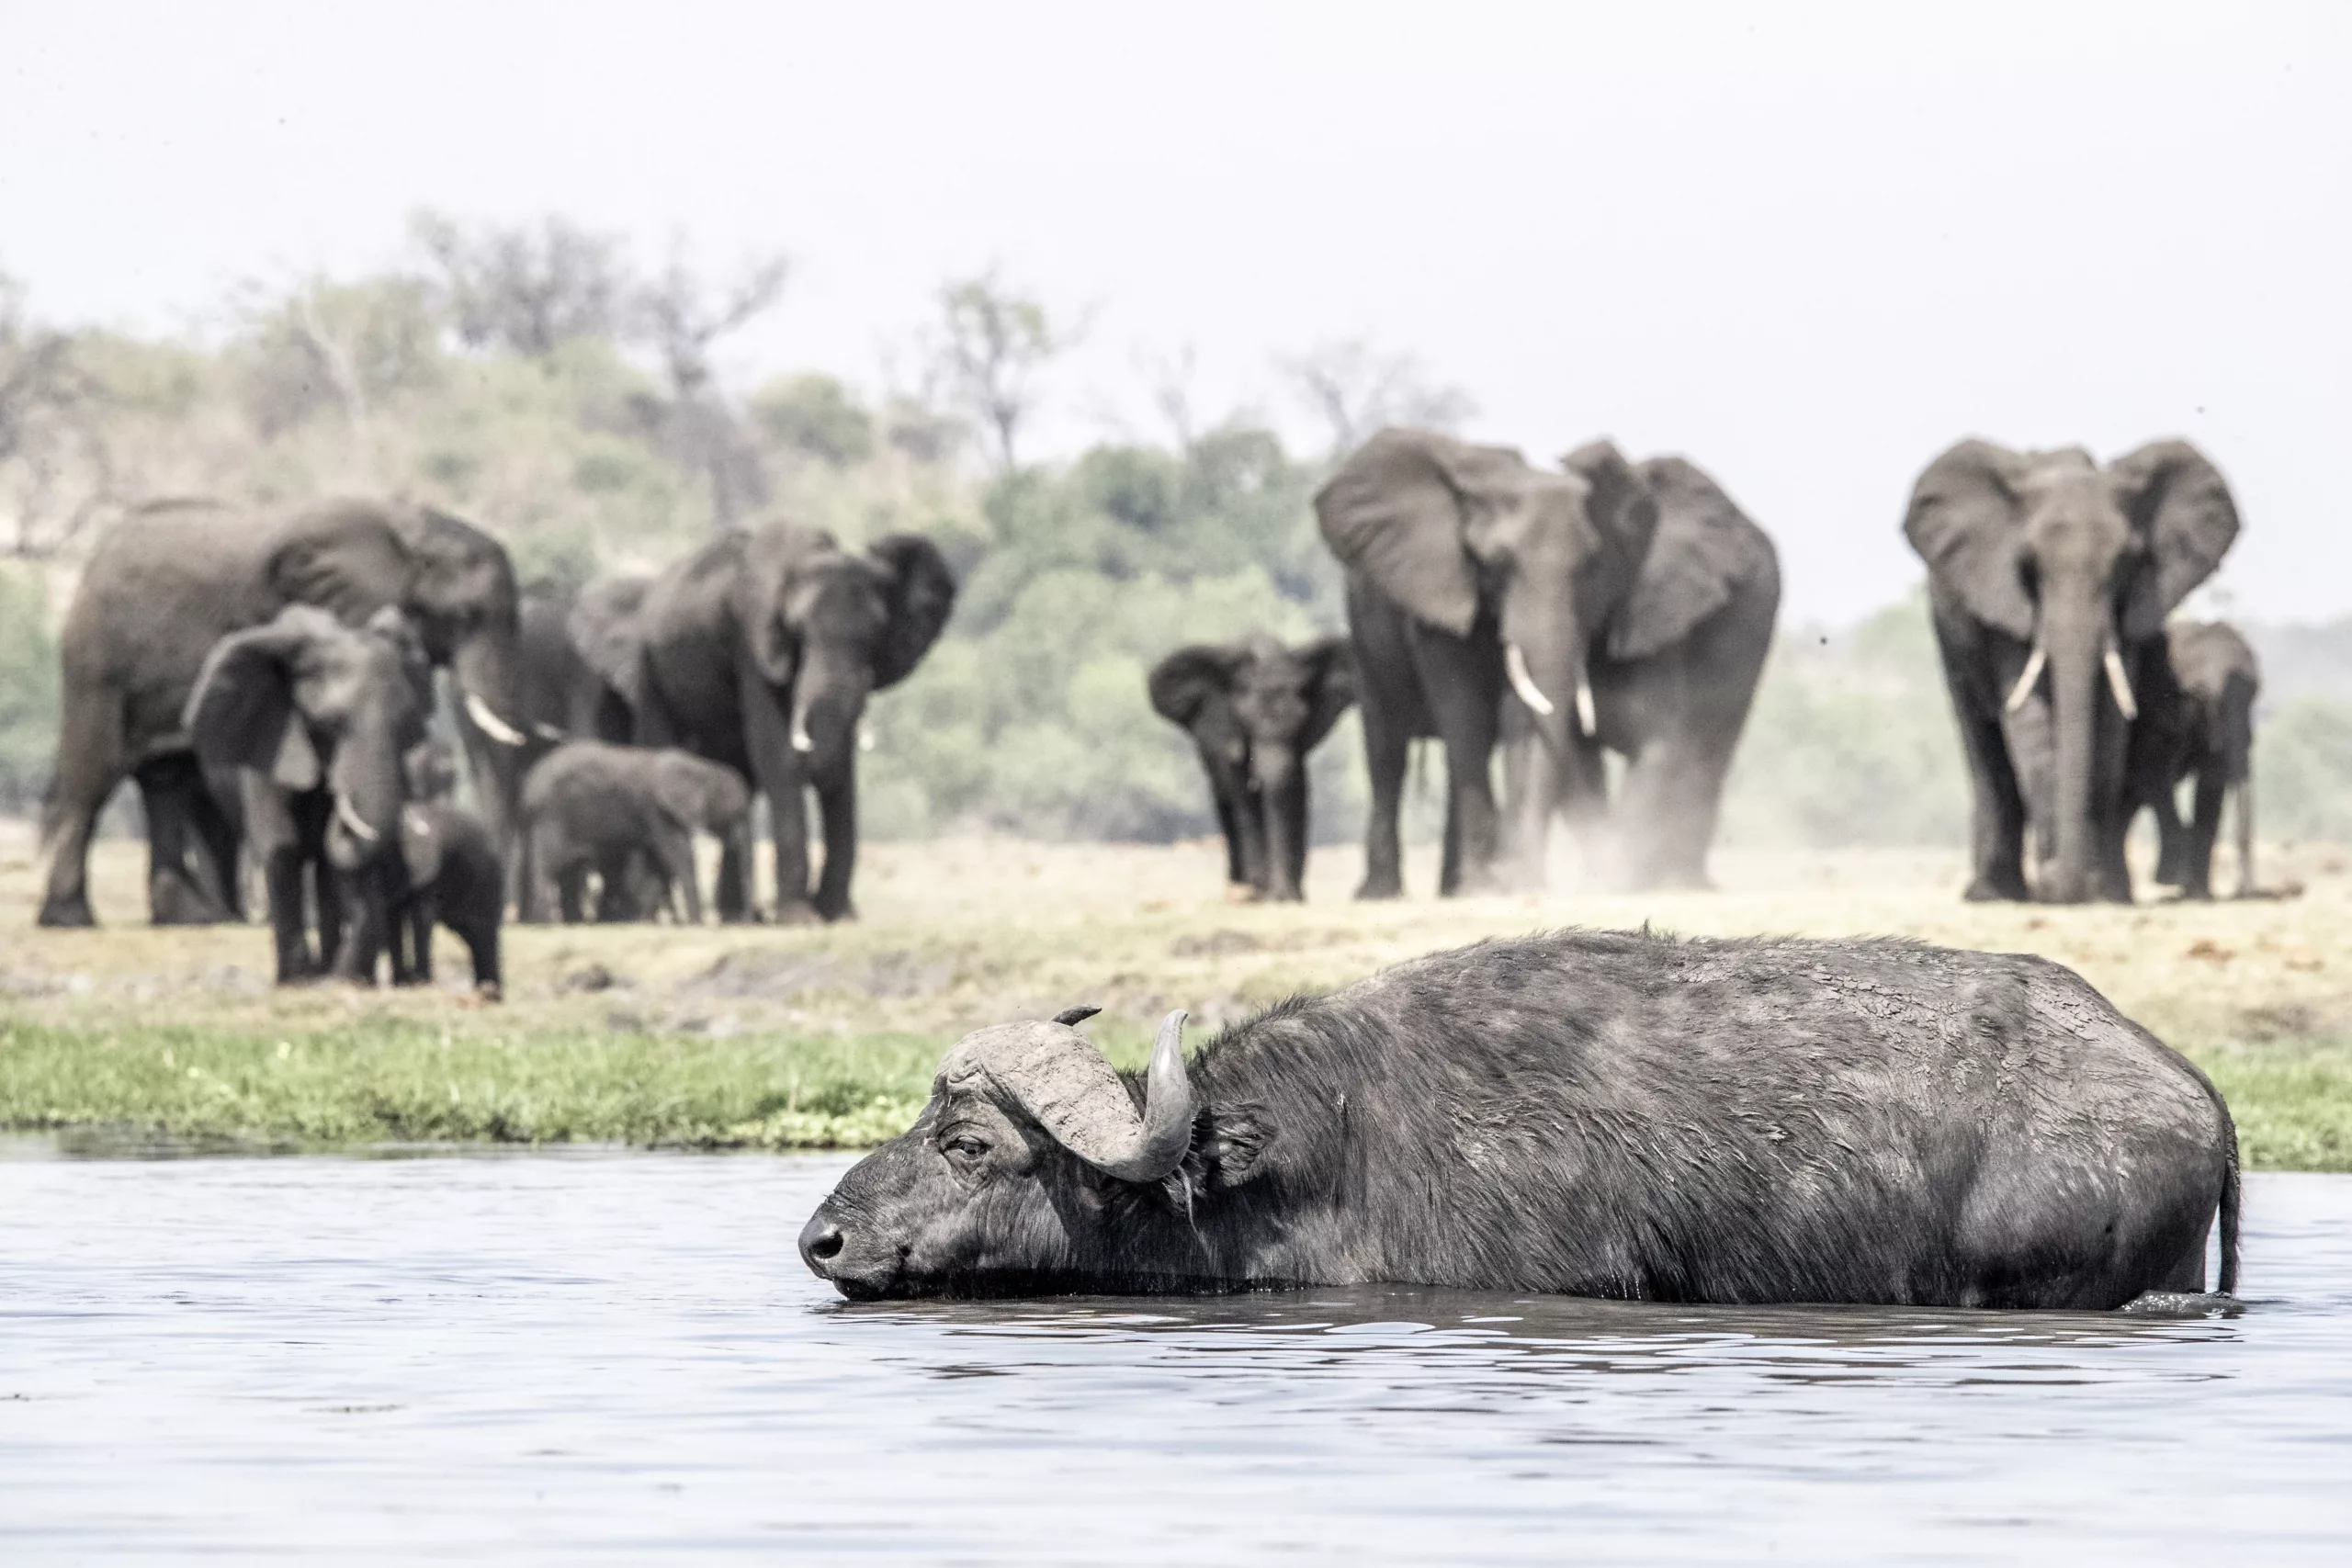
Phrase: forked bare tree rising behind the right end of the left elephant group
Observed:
(683, 319)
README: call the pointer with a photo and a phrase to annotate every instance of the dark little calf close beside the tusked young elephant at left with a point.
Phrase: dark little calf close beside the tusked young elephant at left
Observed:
(455, 878)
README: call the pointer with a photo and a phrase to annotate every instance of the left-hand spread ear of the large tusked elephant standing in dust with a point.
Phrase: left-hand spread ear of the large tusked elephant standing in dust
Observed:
(1401, 514)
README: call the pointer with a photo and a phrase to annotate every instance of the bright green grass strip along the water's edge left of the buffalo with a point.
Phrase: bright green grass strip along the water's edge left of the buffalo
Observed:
(394, 1080)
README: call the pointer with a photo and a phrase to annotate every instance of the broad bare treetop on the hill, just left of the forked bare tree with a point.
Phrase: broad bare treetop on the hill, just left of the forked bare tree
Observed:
(526, 288)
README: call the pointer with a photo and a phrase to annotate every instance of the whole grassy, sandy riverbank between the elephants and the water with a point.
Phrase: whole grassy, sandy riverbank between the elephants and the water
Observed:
(759, 1038)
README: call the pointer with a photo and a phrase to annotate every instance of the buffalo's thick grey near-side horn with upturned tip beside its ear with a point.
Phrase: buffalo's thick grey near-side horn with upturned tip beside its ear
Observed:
(1074, 1094)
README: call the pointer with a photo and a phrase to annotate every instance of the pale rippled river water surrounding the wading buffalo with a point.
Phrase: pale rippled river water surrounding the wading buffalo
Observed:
(620, 1358)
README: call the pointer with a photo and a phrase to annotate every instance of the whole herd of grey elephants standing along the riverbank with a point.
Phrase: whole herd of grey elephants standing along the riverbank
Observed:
(269, 685)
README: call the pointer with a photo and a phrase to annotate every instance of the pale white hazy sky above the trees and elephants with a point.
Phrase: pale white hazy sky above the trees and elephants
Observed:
(1805, 246)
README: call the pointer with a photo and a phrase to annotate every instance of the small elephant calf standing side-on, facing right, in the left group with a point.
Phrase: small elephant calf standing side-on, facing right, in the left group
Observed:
(599, 808)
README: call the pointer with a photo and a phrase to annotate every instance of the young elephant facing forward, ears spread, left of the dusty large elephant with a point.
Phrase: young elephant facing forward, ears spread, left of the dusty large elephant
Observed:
(1255, 711)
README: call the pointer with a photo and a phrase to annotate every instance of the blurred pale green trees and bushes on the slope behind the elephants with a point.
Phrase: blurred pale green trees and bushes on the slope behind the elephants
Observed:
(547, 387)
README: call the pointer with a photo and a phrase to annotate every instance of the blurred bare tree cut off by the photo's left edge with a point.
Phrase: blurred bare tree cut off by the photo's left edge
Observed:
(55, 464)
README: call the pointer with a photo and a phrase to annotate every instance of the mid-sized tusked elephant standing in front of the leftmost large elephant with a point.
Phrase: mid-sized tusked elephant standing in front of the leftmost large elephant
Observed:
(309, 723)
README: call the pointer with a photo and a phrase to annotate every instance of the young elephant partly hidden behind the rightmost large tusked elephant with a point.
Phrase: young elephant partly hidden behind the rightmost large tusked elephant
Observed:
(2198, 725)
